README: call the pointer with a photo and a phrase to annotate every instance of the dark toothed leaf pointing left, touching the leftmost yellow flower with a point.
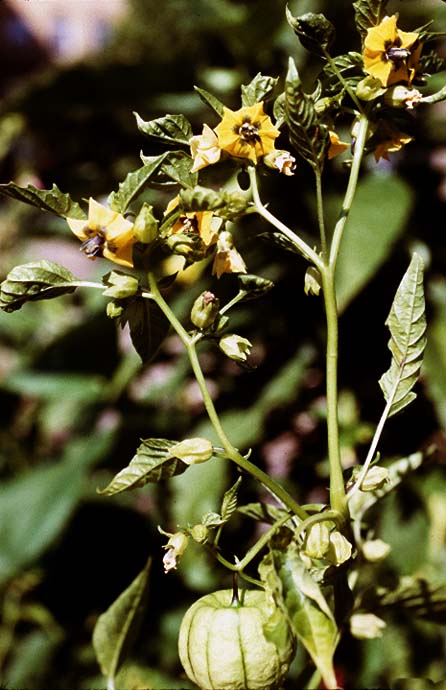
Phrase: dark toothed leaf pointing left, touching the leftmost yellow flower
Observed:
(46, 199)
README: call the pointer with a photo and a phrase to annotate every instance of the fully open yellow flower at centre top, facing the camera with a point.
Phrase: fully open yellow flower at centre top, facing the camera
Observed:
(246, 133)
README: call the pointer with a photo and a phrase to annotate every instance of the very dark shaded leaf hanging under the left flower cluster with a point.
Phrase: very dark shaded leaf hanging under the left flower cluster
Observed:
(148, 326)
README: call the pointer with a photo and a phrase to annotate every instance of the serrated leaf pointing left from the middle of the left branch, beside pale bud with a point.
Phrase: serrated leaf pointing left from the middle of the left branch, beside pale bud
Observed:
(151, 464)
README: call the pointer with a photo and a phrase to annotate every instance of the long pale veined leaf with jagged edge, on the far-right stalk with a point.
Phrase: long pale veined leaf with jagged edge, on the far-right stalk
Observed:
(407, 325)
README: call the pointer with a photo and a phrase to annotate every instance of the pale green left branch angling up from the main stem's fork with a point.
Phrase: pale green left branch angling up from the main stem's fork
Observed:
(231, 452)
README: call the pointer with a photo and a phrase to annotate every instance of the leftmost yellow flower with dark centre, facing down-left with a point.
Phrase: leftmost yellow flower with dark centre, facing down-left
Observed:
(106, 233)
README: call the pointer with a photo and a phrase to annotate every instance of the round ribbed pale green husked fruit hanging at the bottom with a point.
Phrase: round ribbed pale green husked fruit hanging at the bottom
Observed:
(223, 646)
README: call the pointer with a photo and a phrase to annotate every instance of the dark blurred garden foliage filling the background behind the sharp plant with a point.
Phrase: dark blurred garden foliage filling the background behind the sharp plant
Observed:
(75, 399)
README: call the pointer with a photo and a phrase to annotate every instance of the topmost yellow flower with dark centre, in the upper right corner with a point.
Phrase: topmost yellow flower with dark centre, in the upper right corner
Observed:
(391, 55)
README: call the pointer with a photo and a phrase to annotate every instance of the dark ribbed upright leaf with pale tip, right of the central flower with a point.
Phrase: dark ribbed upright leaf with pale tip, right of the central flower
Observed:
(307, 135)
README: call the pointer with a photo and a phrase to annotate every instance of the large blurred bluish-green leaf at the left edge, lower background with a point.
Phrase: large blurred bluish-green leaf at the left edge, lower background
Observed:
(35, 506)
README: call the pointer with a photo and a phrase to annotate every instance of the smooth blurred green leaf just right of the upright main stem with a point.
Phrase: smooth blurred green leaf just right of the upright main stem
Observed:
(381, 208)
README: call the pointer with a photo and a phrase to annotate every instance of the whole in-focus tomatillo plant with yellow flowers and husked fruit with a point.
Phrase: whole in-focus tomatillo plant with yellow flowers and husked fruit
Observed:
(304, 570)
